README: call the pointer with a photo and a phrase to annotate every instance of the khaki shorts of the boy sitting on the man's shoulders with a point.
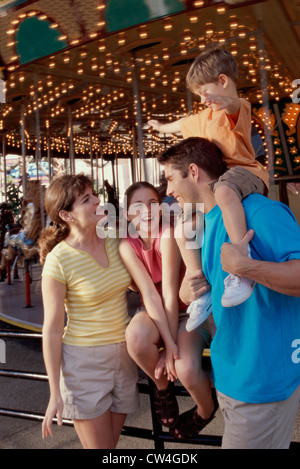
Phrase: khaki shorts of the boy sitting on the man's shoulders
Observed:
(242, 181)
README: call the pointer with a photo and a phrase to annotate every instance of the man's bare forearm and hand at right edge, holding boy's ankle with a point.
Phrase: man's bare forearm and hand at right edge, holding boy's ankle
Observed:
(283, 277)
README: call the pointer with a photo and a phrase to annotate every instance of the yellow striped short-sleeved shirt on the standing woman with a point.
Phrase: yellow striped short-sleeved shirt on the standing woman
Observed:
(96, 302)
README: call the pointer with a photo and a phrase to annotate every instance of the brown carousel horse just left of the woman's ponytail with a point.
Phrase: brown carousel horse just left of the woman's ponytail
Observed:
(20, 241)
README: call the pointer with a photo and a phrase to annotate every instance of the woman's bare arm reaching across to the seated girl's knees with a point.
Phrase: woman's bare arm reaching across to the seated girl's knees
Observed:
(151, 297)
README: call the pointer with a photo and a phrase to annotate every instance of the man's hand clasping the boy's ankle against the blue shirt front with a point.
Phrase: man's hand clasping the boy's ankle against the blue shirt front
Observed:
(233, 256)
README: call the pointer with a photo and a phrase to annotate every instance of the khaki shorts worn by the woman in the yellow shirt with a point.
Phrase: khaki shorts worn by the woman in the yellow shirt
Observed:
(95, 379)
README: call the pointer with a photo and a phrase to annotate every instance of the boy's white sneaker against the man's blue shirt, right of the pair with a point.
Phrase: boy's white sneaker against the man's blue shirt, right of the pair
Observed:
(237, 290)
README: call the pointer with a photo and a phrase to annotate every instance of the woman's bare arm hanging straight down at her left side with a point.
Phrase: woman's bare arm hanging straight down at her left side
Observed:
(54, 294)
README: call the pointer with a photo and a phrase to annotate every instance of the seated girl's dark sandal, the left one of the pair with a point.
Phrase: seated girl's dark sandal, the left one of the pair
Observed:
(165, 405)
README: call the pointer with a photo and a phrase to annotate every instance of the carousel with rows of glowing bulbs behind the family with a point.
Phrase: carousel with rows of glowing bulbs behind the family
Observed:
(80, 79)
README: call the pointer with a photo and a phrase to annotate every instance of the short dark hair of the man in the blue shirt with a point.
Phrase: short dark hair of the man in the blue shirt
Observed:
(197, 150)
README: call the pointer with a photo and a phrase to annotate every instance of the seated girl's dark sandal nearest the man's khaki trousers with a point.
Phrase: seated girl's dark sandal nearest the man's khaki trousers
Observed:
(190, 423)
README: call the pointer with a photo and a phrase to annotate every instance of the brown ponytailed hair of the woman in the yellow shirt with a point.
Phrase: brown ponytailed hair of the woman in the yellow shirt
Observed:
(60, 195)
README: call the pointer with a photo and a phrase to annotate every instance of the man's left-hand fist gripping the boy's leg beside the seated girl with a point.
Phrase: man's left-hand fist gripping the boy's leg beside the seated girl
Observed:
(193, 286)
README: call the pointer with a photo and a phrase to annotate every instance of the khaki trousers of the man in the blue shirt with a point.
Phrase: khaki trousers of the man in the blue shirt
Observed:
(258, 426)
